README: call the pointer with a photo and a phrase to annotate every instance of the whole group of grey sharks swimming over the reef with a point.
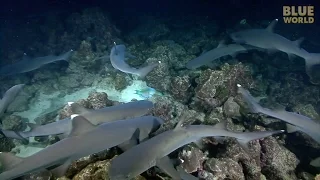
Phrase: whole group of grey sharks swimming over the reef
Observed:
(130, 126)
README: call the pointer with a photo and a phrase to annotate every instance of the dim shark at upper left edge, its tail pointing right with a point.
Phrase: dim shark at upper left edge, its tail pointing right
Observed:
(28, 64)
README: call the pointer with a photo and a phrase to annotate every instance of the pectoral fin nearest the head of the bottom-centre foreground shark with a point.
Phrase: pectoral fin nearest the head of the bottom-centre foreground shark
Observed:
(166, 165)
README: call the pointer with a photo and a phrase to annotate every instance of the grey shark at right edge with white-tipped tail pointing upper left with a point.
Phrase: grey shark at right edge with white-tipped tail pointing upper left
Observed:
(295, 122)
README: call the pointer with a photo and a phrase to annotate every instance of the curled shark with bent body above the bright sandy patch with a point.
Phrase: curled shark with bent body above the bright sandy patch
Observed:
(118, 61)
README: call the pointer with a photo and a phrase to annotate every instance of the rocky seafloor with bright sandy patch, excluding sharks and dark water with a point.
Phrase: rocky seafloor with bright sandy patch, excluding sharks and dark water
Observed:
(207, 95)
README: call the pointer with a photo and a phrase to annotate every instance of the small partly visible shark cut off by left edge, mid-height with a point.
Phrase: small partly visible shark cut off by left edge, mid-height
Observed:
(9, 96)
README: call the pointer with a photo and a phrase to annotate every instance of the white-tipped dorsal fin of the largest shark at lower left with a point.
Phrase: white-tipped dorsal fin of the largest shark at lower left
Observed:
(80, 125)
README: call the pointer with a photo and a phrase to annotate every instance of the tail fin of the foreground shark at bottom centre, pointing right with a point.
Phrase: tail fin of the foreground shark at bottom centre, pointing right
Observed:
(244, 138)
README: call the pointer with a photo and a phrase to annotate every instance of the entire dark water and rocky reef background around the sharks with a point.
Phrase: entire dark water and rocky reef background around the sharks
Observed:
(173, 33)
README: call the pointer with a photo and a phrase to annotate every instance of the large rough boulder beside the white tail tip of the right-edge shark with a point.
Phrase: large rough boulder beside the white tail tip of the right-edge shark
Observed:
(214, 87)
